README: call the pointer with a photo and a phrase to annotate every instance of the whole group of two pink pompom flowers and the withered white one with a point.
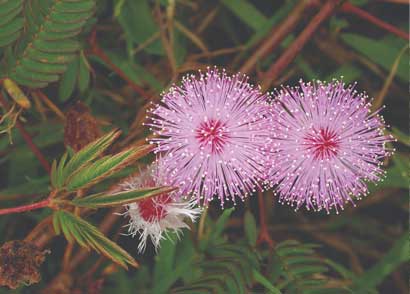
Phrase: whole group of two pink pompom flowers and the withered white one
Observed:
(217, 135)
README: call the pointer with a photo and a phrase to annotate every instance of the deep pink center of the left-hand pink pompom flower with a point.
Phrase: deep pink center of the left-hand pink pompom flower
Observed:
(212, 134)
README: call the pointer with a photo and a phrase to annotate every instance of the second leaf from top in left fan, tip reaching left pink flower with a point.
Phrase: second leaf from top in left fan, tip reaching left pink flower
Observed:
(104, 167)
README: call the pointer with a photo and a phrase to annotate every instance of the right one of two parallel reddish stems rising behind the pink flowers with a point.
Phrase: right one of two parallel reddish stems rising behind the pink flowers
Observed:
(286, 58)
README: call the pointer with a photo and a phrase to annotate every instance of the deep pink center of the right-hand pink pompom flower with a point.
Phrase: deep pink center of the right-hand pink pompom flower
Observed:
(323, 143)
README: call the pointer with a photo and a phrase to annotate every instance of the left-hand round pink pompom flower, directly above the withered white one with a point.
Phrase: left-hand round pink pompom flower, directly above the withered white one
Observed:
(212, 132)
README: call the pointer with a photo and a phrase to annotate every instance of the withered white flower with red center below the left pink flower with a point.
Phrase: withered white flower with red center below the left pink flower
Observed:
(154, 217)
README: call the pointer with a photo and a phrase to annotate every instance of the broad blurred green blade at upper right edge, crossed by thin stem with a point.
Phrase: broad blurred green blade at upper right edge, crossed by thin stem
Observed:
(379, 52)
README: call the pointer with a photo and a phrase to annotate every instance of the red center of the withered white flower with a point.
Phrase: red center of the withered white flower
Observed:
(153, 208)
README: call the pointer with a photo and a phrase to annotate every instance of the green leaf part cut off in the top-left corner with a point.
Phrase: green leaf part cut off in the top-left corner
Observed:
(11, 23)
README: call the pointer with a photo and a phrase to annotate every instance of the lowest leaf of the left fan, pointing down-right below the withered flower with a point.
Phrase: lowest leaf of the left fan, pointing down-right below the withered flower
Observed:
(88, 236)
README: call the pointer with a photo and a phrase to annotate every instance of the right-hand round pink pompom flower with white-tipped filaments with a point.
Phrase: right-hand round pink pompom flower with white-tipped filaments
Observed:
(327, 143)
